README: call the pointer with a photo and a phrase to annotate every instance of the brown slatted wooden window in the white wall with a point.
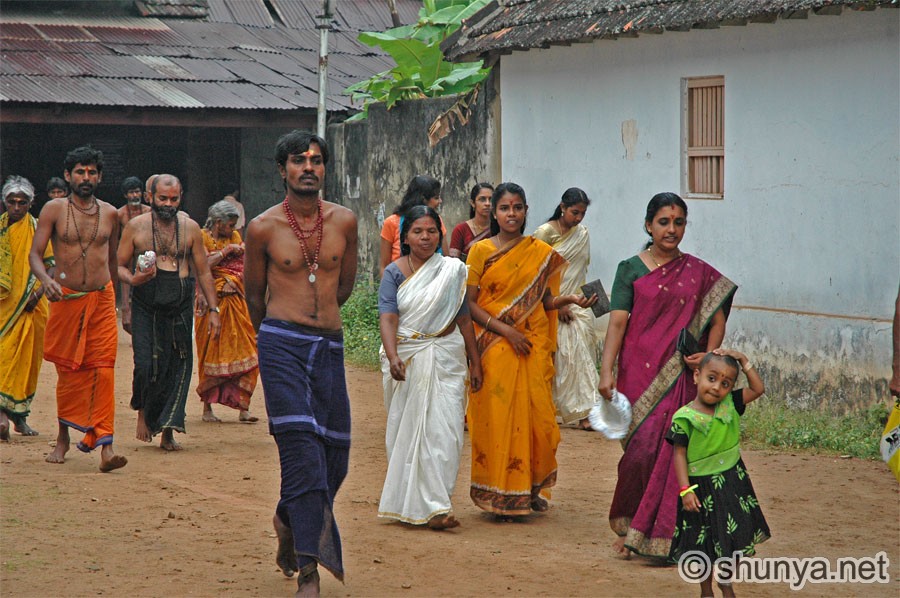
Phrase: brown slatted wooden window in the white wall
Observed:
(704, 137)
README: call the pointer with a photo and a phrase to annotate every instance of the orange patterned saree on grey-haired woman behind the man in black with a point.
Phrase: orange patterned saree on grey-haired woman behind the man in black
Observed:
(228, 367)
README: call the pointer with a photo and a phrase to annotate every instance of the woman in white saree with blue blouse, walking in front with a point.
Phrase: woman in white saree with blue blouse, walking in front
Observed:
(427, 336)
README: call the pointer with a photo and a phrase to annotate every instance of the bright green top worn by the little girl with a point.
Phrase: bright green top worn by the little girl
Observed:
(712, 441)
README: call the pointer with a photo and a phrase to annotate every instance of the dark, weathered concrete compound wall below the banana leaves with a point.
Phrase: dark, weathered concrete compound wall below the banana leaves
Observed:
(374, 160)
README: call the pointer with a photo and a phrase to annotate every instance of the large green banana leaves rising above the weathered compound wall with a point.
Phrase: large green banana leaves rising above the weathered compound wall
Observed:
(420, 71)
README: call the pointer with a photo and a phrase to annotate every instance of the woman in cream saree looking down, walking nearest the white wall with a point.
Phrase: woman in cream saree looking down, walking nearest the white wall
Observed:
(576, 379)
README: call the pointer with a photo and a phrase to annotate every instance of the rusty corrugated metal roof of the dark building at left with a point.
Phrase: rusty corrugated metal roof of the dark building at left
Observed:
(236, 55)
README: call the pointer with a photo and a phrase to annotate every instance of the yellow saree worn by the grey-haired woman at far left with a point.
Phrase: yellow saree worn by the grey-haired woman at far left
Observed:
(21, 331)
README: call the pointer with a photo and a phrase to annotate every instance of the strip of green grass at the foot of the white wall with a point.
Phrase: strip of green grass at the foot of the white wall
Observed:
(857, 434)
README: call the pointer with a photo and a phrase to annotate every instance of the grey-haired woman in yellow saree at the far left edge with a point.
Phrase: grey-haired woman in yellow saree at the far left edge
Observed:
(23, 309)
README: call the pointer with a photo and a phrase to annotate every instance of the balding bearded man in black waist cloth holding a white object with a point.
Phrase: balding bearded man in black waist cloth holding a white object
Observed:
(162, 308)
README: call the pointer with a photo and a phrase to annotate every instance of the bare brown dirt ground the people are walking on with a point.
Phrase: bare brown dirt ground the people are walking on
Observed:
(198, 522)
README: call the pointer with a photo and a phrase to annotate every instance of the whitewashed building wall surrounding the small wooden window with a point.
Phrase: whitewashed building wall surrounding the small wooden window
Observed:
(810, 224)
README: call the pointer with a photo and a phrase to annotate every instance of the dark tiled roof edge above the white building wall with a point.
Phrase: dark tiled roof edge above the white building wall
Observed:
(509, 25)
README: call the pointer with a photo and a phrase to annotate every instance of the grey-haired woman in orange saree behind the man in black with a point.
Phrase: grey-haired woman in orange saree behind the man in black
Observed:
(228, 366)
